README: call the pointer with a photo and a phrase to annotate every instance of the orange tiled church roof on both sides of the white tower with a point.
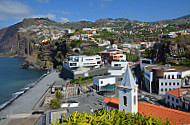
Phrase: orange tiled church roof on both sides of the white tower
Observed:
(174, 116)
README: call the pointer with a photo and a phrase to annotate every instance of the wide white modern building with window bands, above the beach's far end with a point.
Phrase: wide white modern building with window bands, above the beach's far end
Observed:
(84, 62)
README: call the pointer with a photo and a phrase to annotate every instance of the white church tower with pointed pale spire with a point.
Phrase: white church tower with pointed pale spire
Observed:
(128, 95)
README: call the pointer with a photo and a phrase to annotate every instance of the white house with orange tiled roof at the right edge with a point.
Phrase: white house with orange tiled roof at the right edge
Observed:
(178, 98)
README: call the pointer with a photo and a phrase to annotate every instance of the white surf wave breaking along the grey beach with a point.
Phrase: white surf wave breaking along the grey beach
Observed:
(22, 91)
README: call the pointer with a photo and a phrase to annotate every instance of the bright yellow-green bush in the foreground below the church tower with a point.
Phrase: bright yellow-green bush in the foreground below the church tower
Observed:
(110, 117)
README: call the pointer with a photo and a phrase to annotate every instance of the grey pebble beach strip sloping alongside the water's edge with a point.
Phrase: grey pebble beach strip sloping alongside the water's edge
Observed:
(26, 102)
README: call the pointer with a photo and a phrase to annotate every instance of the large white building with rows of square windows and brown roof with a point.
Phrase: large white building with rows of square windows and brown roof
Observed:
(160, 79)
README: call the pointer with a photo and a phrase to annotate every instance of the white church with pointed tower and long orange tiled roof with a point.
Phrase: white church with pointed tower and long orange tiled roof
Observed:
(128, 101)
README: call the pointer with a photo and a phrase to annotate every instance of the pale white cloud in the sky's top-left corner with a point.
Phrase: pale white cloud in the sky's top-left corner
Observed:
(13, 10)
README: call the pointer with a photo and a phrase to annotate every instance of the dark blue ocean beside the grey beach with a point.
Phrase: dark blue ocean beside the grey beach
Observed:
(15, 81)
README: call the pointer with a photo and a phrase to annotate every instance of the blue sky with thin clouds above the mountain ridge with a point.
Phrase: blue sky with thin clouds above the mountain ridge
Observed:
(14, 11)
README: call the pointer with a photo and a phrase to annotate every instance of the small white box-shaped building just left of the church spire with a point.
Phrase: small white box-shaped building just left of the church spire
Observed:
(101, 81)
